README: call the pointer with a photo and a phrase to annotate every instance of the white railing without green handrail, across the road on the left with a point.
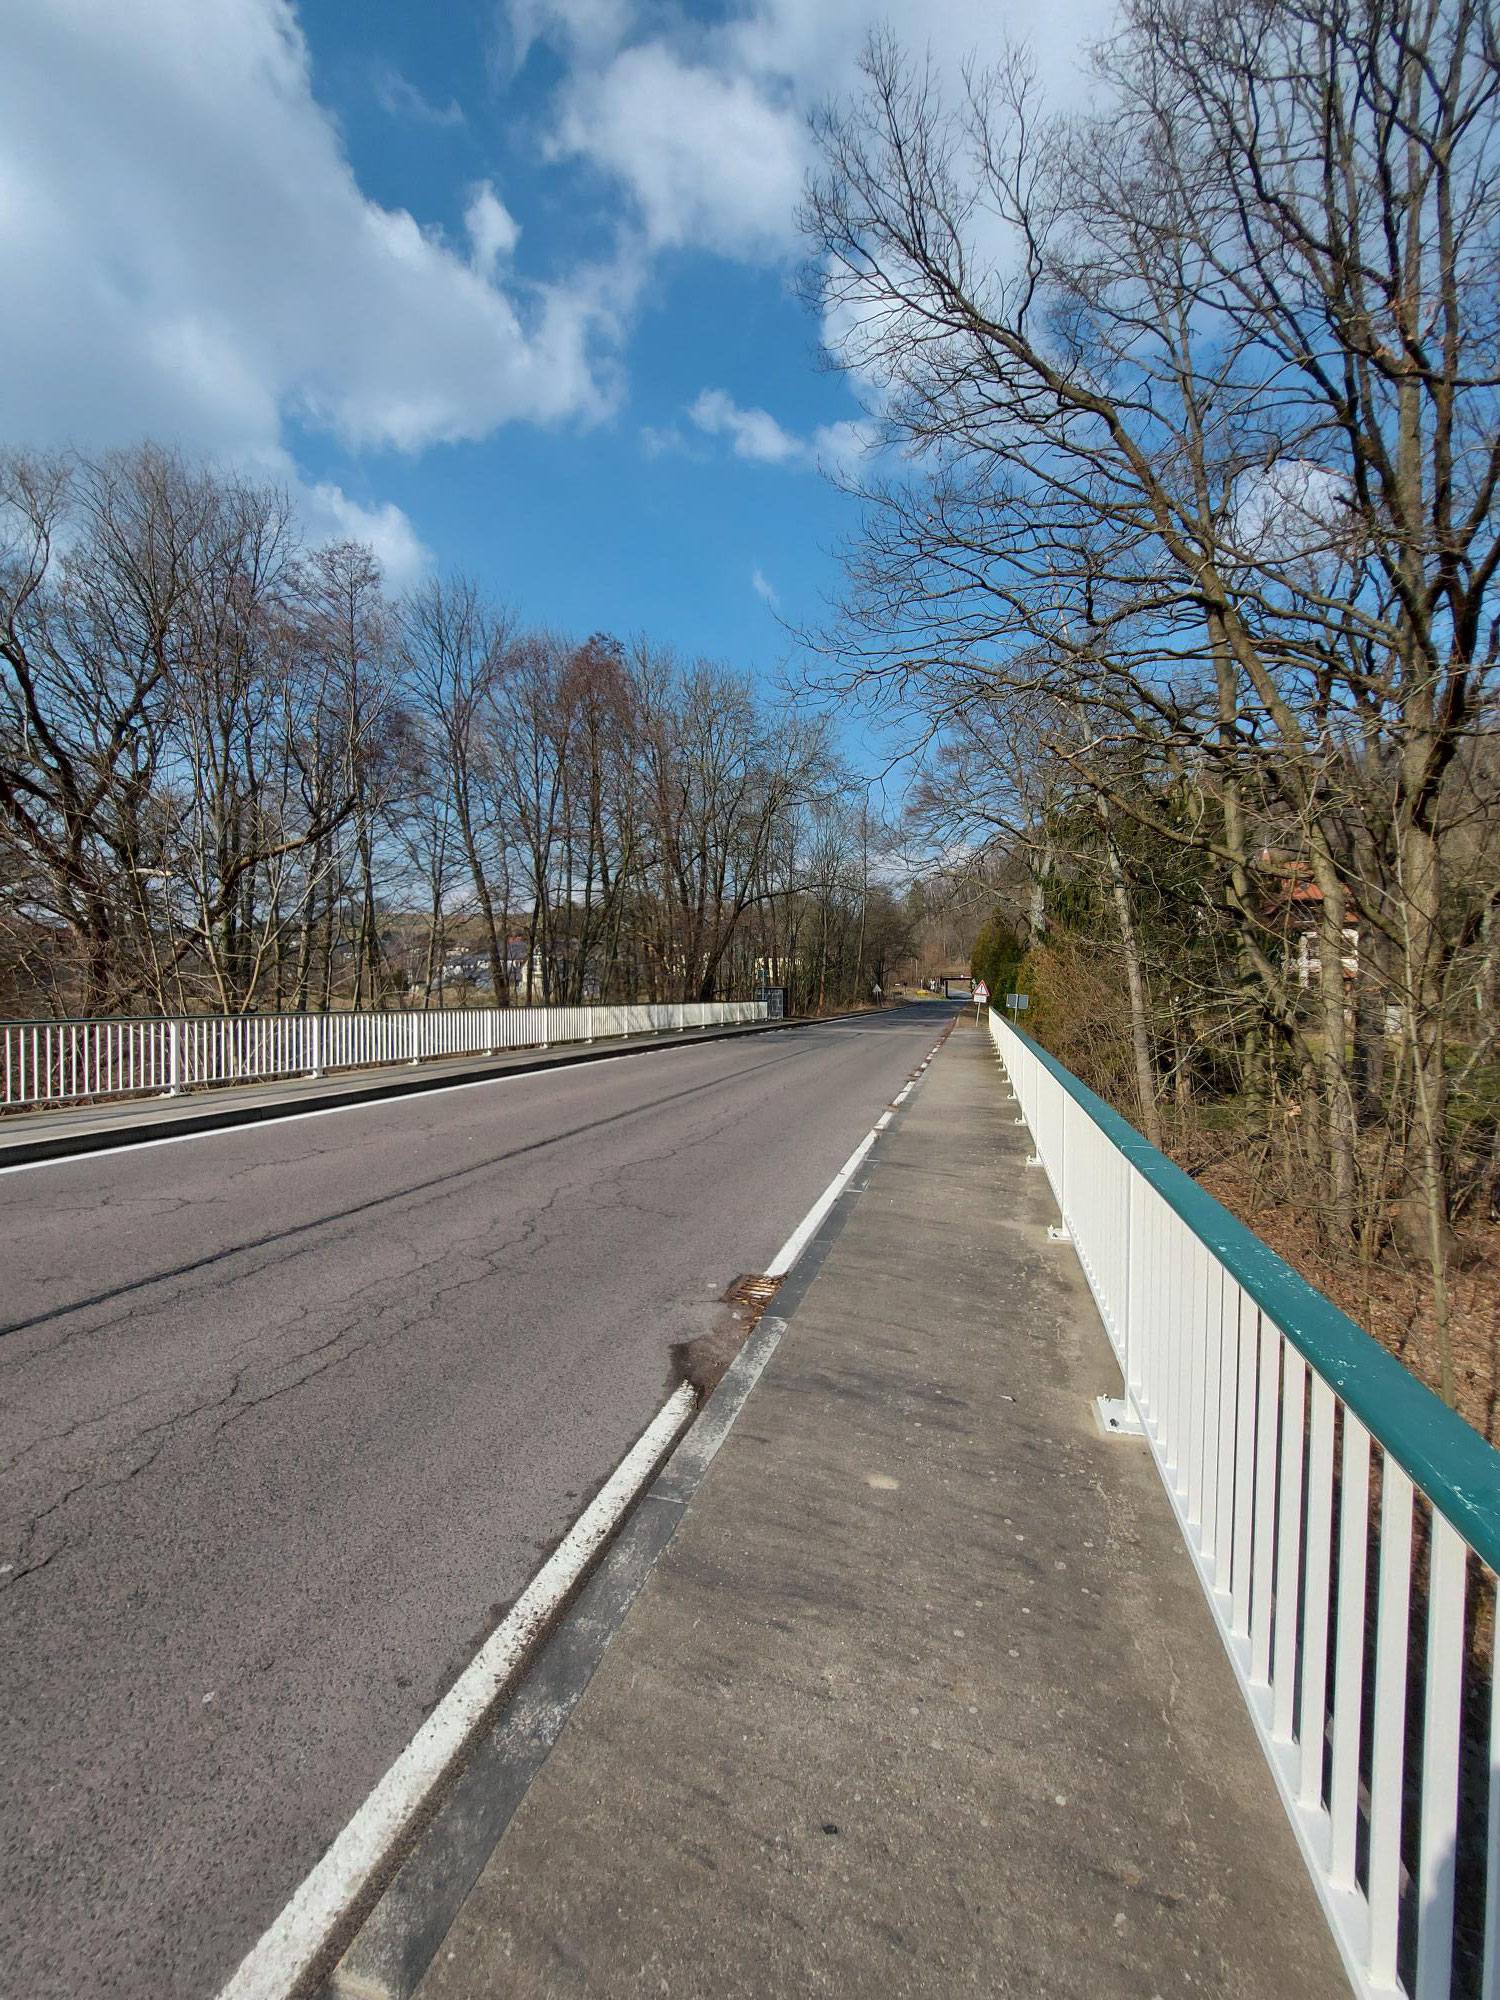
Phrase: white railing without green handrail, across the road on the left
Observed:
(71, 1061)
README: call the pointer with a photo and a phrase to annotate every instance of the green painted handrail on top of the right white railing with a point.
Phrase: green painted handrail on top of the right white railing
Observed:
(1431, 1443)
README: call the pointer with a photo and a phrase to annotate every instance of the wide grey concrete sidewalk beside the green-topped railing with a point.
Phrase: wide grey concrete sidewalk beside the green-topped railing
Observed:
(923, 1697)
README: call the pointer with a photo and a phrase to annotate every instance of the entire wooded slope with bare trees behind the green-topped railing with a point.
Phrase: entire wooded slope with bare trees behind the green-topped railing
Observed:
(1189, 567)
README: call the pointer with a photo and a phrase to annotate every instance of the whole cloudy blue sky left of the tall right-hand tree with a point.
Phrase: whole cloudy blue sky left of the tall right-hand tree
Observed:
(503, 285)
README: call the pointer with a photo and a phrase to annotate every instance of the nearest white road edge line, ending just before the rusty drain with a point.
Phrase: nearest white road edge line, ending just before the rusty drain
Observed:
(301, 1933)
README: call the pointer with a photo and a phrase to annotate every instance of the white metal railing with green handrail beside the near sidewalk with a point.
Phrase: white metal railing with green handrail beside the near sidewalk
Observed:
(1345, 1527)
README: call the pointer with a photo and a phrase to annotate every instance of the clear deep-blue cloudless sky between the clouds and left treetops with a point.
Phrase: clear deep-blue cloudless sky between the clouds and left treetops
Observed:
(641, 521)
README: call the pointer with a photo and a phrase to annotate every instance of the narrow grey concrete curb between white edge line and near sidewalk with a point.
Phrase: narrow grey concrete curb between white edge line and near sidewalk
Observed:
(415, 1913)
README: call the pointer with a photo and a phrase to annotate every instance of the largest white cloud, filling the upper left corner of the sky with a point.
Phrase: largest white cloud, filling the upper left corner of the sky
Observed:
(187, 253)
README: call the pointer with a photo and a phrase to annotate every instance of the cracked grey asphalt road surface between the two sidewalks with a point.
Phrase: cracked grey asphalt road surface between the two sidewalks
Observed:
(291, 1415)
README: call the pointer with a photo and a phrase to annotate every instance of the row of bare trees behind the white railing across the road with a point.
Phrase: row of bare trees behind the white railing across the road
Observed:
(237, 775)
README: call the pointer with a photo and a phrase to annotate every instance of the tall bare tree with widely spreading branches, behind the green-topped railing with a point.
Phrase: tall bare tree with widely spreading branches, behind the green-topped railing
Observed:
(1199, 403)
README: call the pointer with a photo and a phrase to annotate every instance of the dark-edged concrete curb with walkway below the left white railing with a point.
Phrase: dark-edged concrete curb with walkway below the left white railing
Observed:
(359, 1089)
